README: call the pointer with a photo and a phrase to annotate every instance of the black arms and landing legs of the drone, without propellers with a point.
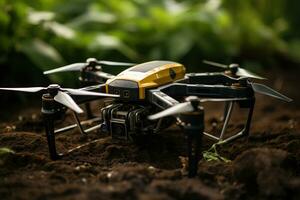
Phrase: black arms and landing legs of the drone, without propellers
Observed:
(203, 85)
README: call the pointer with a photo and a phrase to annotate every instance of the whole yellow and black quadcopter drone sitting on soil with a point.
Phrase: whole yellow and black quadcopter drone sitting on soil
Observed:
(149, 97)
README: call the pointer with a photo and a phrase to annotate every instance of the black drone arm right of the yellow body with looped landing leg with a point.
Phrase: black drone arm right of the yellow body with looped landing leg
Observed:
(209, 85)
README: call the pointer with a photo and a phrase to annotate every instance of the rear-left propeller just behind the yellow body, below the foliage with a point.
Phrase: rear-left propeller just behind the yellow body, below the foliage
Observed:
(90, 62)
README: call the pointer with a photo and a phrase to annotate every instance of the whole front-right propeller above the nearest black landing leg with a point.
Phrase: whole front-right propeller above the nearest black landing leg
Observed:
(189, 106)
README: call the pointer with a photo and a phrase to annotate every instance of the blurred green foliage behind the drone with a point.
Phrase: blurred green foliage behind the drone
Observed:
(43, 34)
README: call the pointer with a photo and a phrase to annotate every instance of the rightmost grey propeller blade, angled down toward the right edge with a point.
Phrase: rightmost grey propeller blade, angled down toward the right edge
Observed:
(265, 90)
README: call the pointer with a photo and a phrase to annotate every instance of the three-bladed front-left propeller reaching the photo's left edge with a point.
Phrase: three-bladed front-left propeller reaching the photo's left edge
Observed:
(61, 95)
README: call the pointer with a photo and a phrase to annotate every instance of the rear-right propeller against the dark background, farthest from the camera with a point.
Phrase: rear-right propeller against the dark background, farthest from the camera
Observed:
(235, 69)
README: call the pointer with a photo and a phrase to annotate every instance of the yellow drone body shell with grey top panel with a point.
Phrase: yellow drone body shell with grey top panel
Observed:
(132, 83)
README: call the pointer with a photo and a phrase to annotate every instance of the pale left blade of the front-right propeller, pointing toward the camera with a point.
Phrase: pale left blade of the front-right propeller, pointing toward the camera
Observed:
(178, 108)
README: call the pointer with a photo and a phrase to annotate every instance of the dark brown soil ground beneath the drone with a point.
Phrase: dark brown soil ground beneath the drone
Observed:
(266, 165)
